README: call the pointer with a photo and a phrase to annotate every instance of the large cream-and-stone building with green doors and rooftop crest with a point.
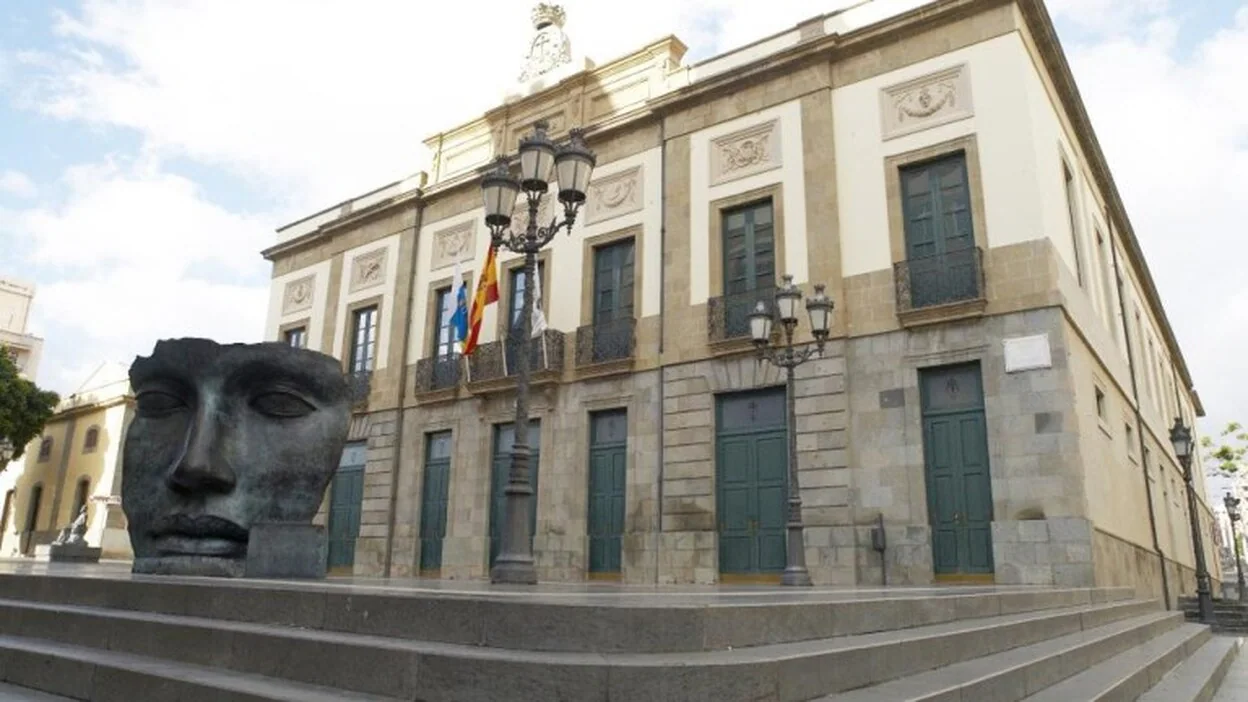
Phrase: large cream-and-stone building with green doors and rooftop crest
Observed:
(1000, 379)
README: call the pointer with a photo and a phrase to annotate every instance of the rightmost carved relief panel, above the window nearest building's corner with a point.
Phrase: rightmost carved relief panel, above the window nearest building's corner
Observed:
(927, 102)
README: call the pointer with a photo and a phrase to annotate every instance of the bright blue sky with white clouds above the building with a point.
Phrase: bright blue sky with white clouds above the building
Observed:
(150, 148)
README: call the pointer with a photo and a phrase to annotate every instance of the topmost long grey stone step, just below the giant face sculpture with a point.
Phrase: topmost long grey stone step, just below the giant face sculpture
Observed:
(601, 624)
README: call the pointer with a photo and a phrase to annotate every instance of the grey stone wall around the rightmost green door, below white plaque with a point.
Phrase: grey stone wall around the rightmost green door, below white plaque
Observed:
(1033, 449)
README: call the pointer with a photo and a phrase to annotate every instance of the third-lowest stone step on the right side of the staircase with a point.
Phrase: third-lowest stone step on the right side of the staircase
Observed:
(1013, 675)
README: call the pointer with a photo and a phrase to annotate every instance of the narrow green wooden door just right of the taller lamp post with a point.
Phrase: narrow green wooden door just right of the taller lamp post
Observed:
(608, 460)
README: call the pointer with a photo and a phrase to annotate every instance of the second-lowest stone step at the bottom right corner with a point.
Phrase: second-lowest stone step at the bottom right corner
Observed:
(1130, 675)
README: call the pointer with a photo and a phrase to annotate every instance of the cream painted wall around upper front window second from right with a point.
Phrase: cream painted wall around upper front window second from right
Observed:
(789, 174)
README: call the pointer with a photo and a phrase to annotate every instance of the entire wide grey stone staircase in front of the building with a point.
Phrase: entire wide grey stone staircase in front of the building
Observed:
(120, 639)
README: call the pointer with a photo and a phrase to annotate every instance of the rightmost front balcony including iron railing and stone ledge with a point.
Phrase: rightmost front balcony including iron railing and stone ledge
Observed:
(942, 288)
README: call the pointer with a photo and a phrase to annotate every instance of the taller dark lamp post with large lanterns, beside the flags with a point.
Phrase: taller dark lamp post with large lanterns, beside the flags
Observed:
(572, 164)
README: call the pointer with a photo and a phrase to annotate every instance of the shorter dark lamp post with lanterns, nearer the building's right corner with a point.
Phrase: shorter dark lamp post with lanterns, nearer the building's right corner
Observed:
(789, 358)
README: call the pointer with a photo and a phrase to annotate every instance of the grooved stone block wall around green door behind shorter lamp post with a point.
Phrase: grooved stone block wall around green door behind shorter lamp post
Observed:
(688, 546)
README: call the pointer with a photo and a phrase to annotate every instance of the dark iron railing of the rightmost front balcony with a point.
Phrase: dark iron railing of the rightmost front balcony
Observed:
(955, 277)
